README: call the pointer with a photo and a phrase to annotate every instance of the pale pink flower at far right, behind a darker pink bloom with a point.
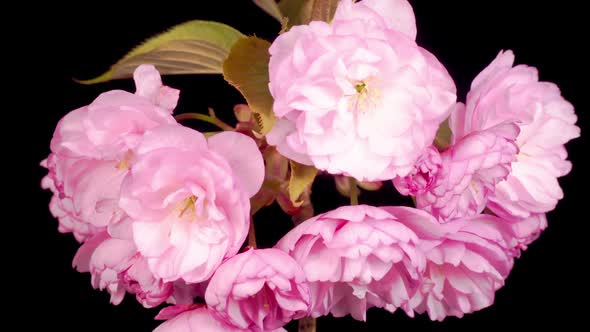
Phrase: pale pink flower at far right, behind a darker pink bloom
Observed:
(501, 93)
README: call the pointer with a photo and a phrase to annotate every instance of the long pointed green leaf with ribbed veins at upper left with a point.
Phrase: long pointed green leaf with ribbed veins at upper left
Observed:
(195, 47)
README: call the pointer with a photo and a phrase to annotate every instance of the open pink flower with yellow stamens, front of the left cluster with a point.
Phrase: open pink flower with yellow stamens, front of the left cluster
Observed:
(188, 199)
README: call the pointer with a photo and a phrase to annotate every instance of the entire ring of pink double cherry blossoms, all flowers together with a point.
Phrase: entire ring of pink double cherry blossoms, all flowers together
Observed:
(163, 212)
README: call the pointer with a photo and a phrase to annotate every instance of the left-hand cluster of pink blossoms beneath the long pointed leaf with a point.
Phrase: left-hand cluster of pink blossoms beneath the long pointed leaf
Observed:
(157, 206)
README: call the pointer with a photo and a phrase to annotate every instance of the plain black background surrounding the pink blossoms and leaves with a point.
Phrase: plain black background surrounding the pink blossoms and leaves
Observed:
(548, 285)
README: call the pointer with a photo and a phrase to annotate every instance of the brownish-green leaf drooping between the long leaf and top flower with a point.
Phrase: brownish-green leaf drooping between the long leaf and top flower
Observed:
(246, 68)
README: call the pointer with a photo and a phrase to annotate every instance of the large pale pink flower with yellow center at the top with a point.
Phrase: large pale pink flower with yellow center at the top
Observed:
(357, 97)
